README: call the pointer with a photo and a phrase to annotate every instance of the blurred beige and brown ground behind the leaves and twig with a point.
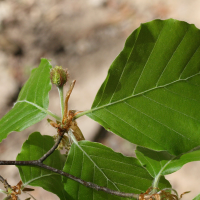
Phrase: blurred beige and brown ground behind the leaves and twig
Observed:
(84, 36)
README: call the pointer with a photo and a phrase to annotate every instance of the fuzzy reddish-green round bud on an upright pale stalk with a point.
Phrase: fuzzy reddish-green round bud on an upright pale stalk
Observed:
(58, 76)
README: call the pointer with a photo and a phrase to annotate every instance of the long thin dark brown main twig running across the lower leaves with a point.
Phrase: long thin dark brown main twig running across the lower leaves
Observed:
(85, 183)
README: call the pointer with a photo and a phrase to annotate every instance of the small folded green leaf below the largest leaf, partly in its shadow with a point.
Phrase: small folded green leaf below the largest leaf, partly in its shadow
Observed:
(163, 163)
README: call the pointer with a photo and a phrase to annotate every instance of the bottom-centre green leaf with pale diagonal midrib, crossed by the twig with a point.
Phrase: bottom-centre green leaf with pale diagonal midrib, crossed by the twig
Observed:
(99, 164)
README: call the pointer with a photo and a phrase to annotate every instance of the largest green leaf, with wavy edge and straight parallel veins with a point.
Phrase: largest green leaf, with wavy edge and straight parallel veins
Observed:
(151, 93)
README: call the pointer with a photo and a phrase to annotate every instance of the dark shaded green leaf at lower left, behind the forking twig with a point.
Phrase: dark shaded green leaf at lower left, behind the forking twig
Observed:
(33, 149)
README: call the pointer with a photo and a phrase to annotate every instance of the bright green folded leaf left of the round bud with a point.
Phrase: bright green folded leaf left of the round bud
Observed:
(32, 103)
